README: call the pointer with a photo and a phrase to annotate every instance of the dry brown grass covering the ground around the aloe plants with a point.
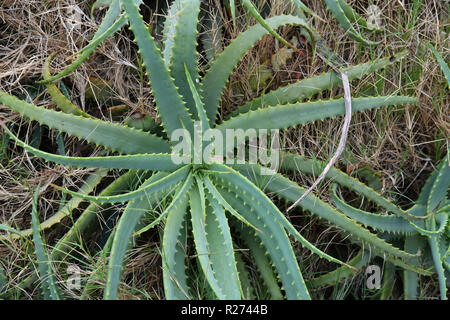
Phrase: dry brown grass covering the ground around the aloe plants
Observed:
(401, 143)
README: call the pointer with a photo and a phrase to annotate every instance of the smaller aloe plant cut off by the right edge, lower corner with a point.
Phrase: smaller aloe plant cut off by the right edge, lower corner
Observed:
(429, 235)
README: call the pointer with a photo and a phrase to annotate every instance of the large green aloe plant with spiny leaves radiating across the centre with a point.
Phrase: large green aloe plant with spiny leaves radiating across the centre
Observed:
(205, 198)
